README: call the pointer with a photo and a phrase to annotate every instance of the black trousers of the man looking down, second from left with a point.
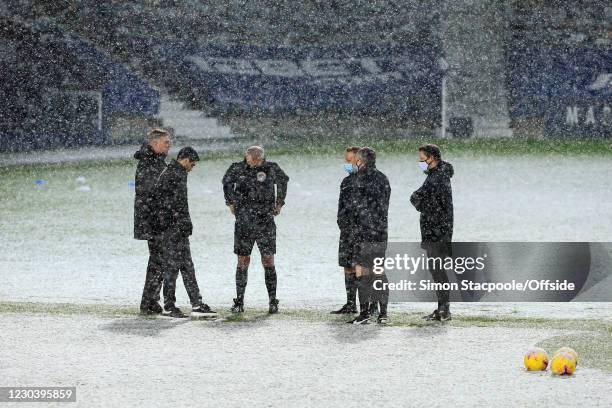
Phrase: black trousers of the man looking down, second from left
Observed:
(177, 258)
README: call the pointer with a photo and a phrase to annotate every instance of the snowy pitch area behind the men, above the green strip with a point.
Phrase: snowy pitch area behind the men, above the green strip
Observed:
(60, 244)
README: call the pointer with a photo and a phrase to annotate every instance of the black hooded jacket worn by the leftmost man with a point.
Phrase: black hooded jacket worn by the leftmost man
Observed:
(150, 166)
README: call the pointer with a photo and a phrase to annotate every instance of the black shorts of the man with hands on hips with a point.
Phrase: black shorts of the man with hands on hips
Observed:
(247, 234)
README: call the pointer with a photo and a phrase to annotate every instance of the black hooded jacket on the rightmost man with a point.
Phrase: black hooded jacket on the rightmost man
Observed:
(434, 200)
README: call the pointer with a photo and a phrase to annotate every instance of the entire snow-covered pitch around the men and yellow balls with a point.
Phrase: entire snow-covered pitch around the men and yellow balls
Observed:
(72, 277)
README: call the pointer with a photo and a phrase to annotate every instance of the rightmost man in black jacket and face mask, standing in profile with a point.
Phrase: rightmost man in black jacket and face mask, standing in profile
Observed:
(434, 200)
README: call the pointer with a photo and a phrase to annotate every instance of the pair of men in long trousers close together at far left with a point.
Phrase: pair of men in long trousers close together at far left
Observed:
(161, 217)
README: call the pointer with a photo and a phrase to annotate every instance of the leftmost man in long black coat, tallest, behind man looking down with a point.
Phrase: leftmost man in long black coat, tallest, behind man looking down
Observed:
(151, 162)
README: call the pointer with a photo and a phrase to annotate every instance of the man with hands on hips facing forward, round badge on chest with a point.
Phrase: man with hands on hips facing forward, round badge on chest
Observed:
(249, 189)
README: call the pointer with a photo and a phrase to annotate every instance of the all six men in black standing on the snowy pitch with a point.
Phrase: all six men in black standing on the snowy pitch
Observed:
(255, 191)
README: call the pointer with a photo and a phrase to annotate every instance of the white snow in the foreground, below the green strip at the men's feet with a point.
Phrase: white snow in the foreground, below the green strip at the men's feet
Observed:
(277, 362)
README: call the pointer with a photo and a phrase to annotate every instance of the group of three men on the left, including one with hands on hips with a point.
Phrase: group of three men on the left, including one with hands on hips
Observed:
(255, 192)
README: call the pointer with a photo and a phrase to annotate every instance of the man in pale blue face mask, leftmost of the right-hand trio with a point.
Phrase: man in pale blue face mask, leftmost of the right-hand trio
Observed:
(346, 223)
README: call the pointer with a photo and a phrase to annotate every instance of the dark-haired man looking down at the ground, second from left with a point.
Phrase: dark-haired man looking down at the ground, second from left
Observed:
(174, 226)
